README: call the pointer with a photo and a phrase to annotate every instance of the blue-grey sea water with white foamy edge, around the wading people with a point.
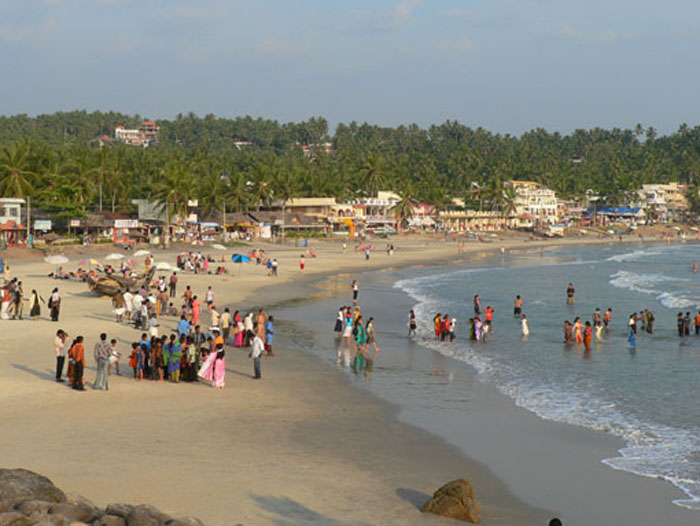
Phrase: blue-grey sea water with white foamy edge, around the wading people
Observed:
(647, 396)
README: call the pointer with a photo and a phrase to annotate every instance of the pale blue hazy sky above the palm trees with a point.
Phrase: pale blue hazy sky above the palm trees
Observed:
(506, 65)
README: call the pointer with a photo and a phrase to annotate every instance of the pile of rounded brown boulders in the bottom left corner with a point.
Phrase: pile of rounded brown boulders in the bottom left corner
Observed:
(30, 499)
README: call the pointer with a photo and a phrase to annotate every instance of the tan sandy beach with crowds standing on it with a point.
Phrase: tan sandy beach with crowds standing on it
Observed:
(302, 446)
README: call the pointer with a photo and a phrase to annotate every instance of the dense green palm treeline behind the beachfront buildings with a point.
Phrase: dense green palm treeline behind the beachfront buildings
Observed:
(56, 159)
